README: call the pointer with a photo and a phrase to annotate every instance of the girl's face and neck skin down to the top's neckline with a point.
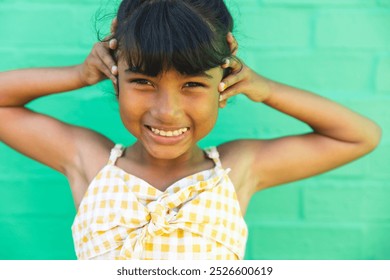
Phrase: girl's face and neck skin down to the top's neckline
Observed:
(168, 102)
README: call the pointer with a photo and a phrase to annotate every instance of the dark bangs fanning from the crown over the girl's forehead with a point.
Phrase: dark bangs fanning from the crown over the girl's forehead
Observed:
(165, 35)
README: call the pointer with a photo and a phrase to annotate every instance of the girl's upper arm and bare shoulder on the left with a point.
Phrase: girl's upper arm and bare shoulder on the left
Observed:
(76, 152)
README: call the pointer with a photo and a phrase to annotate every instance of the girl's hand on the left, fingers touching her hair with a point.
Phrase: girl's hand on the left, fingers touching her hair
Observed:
(100, 65)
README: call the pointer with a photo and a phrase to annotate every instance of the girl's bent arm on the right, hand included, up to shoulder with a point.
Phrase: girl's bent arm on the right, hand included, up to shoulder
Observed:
(339, 134)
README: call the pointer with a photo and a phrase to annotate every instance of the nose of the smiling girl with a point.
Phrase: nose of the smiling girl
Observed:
(167, 106)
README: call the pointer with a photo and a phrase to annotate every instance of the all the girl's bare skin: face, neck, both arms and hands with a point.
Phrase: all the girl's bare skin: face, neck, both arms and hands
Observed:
(339, 135)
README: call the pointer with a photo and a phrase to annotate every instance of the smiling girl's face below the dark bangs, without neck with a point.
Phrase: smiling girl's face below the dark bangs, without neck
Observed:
(170, 113)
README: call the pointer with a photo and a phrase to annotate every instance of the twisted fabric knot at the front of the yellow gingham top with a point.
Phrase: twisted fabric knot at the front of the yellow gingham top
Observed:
(159, 218)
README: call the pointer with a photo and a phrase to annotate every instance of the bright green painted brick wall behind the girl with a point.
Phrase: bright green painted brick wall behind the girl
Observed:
(337, 48)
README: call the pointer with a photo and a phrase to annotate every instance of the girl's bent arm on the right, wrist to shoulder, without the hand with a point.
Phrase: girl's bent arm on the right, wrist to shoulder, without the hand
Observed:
(339, 136)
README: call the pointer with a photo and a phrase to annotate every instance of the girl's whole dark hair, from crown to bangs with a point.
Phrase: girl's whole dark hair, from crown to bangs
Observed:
(186, 35)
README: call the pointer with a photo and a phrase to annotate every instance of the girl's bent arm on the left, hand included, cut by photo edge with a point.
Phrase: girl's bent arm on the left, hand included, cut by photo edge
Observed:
(41, 137)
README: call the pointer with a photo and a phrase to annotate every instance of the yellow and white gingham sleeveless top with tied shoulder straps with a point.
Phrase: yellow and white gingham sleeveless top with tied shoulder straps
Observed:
(123, 217)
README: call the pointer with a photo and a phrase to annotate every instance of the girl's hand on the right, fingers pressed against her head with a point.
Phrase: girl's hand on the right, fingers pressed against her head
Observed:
(242, 79)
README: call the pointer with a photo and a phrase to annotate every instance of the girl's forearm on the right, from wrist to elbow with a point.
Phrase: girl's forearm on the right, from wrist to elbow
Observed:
(324, 116)
